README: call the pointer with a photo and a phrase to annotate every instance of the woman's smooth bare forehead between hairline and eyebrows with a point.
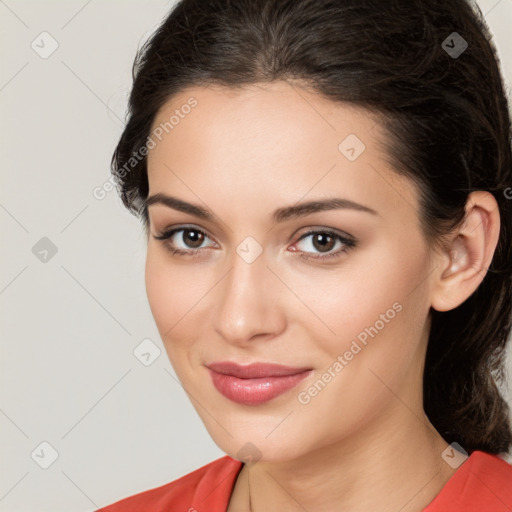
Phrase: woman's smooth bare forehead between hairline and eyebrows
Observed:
(270, 141)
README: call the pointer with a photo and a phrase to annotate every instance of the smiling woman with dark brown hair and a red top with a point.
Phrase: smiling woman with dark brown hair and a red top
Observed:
(325, 188)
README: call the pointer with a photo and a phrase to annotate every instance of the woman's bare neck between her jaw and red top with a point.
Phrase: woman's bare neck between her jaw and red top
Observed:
(402, 470)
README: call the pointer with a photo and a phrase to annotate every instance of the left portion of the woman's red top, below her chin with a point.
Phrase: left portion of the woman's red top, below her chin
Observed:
(207, 488)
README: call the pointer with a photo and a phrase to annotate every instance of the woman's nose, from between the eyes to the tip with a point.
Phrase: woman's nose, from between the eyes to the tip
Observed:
(244, 308)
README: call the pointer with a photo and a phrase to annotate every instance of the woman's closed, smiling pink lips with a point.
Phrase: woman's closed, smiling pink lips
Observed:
(255, 383)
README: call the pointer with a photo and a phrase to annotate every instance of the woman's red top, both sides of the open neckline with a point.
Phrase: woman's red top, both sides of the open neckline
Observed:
(483, 483)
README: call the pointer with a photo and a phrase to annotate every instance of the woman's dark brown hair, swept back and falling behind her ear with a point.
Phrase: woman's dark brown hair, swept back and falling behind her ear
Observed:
(448, 128)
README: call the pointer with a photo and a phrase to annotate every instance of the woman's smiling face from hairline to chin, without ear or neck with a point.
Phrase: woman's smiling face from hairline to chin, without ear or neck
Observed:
(340, 290)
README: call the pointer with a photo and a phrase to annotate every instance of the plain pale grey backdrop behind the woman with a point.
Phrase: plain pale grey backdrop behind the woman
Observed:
(83, 421)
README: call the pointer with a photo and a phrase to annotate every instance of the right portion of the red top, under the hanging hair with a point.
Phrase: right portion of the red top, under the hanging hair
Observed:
(482, 484)
